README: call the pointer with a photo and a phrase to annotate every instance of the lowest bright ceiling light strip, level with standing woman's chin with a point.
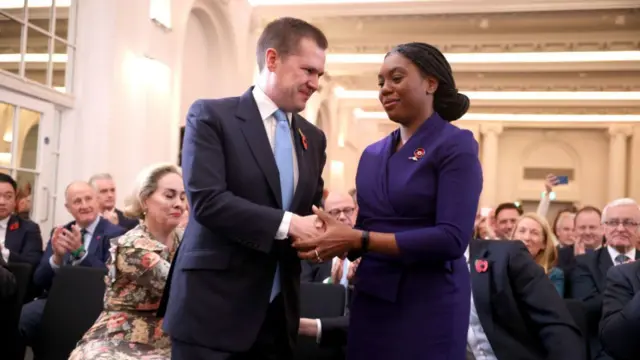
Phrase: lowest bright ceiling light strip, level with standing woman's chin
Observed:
(574, 118)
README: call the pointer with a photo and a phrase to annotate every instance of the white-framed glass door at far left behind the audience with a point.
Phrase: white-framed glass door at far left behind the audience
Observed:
(28, 152)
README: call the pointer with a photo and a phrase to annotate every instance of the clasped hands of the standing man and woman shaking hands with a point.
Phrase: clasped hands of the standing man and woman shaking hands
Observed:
(320, 237)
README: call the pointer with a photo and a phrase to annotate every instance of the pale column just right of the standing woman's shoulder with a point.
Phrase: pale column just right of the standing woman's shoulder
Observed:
(490, 144)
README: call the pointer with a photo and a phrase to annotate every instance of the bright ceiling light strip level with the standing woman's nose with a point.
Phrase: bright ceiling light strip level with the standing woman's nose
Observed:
(341, 93)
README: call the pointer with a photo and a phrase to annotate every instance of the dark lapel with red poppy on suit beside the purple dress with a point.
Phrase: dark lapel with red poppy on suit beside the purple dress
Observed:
(481, 285)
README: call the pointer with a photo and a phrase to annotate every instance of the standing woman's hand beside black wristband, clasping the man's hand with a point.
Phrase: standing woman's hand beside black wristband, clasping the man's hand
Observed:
(337, 240)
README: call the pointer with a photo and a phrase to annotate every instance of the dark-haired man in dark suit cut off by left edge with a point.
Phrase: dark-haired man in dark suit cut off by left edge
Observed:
(20, 239)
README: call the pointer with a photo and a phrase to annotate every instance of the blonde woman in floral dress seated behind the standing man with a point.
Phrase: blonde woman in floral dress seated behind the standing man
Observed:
(128, 328)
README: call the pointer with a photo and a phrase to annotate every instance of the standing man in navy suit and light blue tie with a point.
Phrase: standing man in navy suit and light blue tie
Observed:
(252, 171)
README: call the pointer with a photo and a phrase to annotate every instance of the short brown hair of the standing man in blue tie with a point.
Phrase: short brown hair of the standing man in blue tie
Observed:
(284, 35)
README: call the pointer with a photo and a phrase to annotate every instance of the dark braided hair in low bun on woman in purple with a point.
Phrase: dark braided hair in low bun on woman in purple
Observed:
(447, 101)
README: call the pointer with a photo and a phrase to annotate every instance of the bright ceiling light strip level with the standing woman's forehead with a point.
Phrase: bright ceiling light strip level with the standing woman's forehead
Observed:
(507, 57)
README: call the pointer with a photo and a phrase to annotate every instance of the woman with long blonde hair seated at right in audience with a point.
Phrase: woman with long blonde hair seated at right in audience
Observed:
(535, 232)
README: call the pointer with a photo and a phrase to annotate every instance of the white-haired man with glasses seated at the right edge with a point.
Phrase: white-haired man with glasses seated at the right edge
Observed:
(588, 281)
